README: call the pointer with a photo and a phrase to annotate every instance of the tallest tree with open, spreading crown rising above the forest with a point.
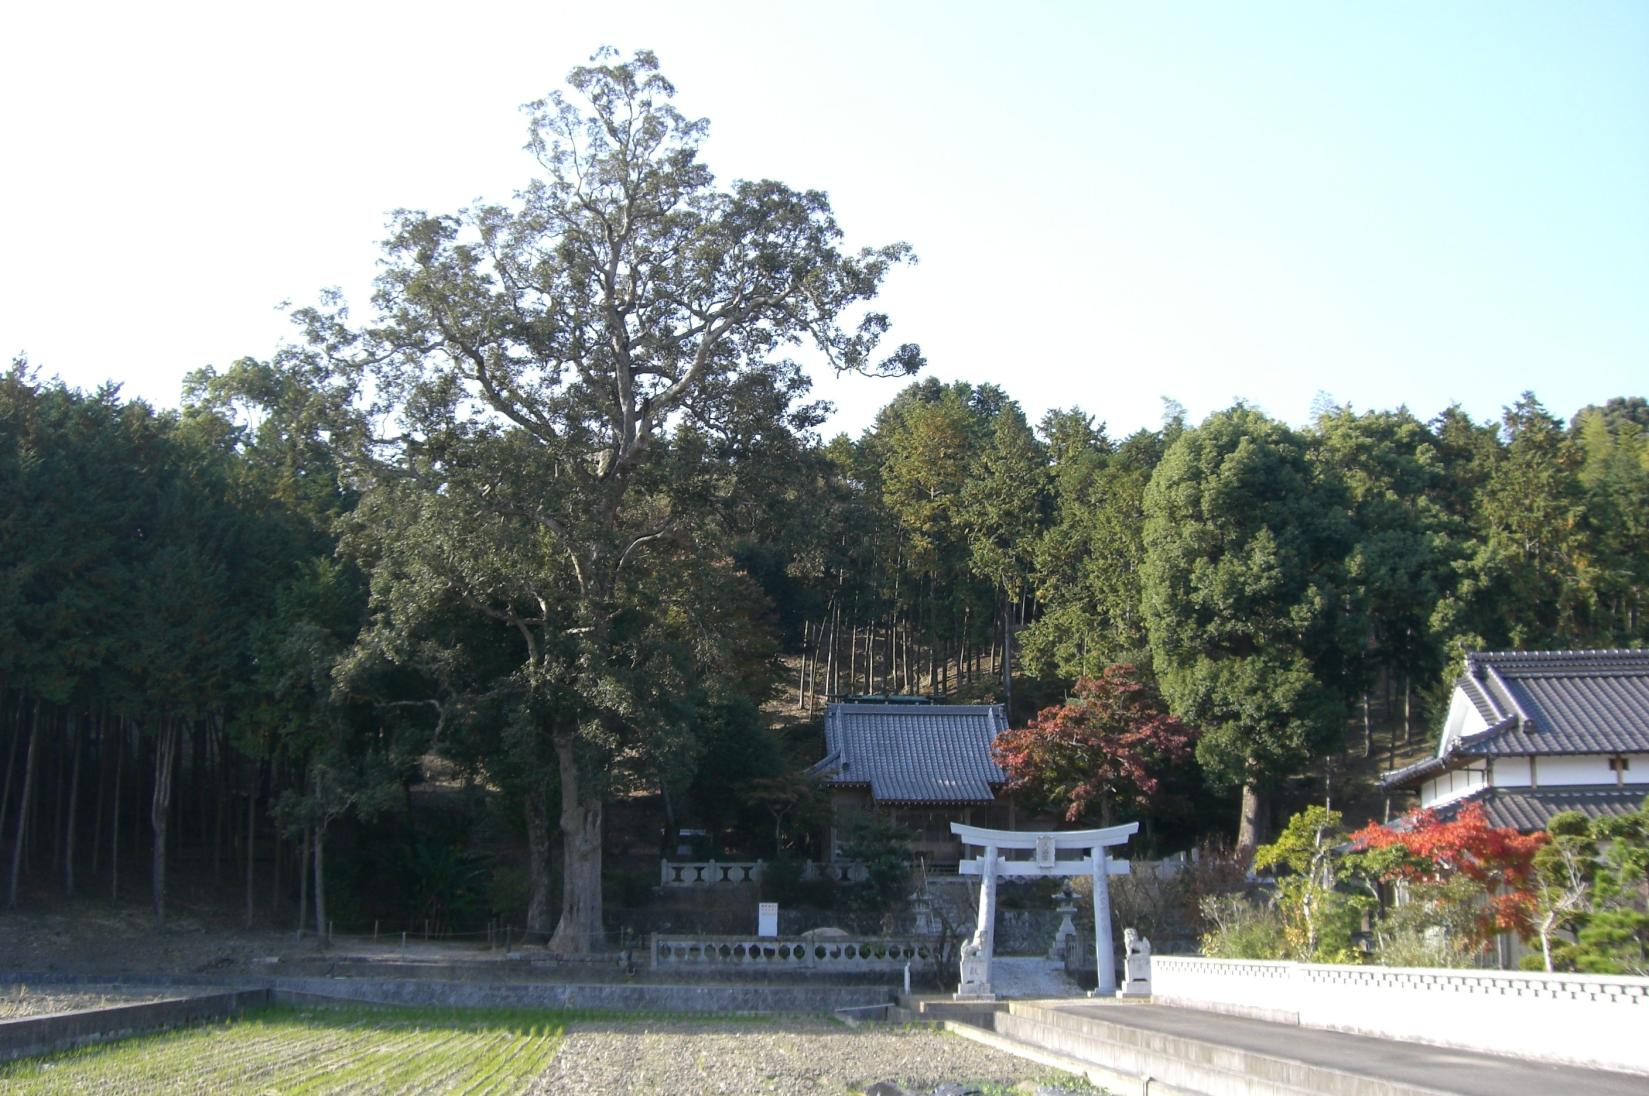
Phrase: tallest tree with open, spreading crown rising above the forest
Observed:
(580, 382)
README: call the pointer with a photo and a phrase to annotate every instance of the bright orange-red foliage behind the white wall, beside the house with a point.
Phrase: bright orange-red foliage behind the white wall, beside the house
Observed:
(1498, 859)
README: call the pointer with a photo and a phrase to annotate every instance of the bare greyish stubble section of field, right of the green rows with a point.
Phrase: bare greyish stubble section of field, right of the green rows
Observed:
(787, 1056)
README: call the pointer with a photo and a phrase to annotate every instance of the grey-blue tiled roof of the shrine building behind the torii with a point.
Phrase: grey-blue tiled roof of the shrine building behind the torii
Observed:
(914, 754)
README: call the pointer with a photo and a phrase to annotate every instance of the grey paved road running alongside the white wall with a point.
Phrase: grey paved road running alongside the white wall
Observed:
(1440, 1069)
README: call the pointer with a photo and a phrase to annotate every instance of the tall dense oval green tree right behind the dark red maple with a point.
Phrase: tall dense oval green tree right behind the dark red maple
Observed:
(1251, 617)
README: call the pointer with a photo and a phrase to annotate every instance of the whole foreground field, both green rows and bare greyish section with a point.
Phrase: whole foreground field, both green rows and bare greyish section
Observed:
(370, 1049)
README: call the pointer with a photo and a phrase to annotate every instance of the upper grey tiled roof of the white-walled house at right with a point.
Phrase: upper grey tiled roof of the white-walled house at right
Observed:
(1559, 701)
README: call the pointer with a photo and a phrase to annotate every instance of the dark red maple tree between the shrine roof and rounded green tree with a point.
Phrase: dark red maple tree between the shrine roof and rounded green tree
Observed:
(1101, 752)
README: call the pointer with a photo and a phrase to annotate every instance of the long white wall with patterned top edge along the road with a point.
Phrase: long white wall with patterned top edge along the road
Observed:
(1581, 1019)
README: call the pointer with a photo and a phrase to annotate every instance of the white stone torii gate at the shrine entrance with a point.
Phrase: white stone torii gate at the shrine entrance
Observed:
(1046, 845)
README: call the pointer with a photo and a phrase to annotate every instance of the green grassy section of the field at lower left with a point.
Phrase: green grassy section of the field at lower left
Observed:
(312, 1051)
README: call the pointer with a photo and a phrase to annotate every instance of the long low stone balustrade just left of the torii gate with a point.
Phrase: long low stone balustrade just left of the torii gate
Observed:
(822, 955)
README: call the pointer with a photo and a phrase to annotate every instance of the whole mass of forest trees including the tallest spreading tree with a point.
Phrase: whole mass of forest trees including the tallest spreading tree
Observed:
(558, 523)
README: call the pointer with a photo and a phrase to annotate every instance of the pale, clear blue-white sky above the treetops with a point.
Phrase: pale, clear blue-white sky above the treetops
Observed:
(1391, 204)
